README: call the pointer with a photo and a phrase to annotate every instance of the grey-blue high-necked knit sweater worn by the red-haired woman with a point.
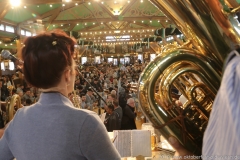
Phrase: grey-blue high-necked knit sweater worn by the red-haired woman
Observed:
(52, 129)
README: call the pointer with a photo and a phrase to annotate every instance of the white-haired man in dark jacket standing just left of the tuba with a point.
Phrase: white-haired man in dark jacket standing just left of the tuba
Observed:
(128, 119)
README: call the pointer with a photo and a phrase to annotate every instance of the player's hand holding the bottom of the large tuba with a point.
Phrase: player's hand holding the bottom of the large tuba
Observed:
(181, 152)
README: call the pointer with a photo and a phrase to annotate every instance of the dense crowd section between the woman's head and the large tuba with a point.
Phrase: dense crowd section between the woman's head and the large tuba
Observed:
(106, 89)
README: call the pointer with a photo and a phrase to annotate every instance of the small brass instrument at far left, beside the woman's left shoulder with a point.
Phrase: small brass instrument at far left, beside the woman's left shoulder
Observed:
(13, 103)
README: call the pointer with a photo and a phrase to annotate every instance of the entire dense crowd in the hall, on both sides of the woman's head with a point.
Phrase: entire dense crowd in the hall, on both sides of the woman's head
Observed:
(102, 88)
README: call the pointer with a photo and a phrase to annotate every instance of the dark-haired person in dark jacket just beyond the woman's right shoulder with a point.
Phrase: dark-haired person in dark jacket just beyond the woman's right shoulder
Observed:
(112, 120)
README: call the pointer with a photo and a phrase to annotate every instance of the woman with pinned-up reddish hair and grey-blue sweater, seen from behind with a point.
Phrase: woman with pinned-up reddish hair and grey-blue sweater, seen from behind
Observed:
(53, 128)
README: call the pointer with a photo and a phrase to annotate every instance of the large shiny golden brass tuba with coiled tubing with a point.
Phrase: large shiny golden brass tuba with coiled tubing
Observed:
(194, 69)
